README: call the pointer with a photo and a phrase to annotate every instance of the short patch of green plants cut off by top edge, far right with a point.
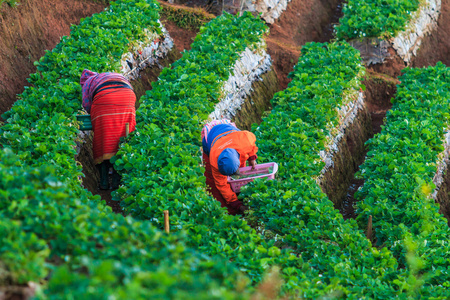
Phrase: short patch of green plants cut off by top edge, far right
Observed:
(375, 18)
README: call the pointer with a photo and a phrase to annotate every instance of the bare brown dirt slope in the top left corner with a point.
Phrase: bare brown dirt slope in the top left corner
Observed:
(28, 30)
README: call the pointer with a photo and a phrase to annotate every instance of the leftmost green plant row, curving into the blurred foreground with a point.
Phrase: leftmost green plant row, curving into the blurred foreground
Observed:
(52, 227)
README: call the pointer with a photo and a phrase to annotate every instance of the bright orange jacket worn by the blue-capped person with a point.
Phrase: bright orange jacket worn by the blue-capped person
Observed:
(244, 143)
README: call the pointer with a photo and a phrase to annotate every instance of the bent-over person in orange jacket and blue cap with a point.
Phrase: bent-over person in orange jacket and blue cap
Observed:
(225, 149)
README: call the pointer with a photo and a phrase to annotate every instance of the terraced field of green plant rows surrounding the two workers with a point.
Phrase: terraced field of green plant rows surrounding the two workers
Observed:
(307, 234)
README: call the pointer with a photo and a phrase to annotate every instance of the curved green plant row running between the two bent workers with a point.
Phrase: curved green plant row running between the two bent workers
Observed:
(160, 162)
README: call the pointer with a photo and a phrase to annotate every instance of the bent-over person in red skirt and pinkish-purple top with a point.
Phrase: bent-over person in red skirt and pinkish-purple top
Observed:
(110, 99)
